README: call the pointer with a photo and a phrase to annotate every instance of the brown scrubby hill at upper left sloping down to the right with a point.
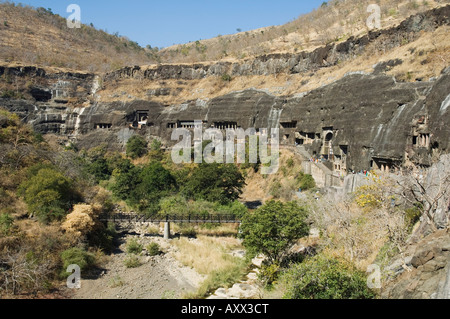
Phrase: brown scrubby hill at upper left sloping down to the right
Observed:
(38, 37)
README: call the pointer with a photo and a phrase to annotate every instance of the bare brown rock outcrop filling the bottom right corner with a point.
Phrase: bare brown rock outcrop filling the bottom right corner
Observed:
(428, 270)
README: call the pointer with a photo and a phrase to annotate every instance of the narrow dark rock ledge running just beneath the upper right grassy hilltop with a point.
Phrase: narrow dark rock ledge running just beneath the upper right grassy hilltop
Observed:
(302, 62)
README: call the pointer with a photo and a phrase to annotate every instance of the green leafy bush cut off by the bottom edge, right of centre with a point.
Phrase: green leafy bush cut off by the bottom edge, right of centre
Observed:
(321, 277)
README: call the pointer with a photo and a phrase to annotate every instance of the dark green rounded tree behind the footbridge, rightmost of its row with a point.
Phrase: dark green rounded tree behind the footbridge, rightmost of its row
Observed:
(221, 183)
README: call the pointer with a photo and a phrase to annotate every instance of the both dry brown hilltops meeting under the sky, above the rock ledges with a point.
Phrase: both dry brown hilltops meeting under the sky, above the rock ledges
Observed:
(92, 50)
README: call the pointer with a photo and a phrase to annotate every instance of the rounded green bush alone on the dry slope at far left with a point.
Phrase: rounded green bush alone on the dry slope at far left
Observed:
(49, 194)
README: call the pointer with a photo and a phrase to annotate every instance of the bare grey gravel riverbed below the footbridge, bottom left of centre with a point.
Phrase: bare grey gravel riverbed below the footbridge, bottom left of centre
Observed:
(159, 277)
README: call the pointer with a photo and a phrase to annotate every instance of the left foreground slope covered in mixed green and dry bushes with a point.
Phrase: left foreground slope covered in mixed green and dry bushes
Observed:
(43, 226)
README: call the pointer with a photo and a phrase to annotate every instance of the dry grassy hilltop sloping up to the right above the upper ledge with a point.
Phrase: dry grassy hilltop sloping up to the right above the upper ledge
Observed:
(336, 21)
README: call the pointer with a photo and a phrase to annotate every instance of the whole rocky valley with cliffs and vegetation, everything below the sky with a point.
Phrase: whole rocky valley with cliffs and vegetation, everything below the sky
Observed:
(87, 126)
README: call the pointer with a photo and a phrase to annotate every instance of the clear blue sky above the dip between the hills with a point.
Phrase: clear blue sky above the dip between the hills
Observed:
(166, 22)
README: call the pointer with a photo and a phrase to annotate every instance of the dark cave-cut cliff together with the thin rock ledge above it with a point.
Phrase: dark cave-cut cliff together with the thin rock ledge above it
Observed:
(359, 122)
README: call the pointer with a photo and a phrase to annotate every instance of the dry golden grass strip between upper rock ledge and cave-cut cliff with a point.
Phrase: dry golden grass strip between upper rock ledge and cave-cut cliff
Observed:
(423, 59)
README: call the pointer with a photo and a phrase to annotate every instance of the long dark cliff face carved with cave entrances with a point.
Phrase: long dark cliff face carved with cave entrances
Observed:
(364, 120)
